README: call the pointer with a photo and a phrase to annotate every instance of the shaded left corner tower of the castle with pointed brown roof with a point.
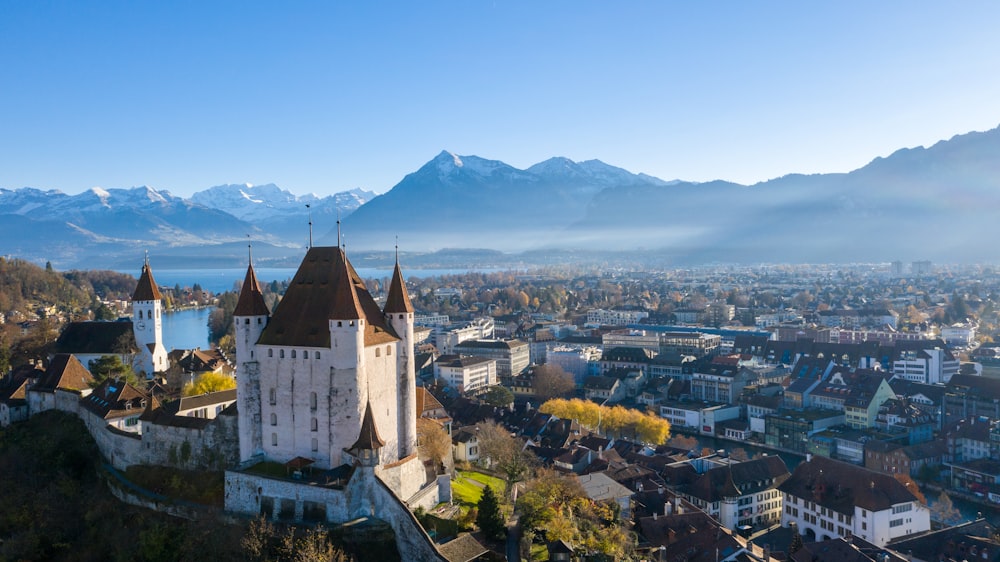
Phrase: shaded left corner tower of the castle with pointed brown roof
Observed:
(249, 319)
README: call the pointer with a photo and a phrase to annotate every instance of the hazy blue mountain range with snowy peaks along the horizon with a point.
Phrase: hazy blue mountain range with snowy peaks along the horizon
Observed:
(932, 203)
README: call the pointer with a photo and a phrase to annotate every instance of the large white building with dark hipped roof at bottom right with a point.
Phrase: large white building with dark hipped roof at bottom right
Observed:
(829, 499)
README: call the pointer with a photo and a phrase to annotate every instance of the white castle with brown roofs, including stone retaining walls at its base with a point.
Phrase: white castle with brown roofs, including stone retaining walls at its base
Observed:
(326, 387)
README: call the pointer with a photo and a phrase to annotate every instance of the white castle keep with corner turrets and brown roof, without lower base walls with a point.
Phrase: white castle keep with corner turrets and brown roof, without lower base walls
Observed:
(307, 374)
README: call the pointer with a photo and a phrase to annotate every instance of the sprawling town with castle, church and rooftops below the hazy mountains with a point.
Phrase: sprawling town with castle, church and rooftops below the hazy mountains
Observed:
(728, 412)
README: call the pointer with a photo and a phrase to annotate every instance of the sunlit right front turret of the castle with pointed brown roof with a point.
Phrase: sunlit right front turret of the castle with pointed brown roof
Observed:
(398, 311)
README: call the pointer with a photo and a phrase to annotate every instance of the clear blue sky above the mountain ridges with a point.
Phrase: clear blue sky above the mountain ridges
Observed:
(326, 96)
